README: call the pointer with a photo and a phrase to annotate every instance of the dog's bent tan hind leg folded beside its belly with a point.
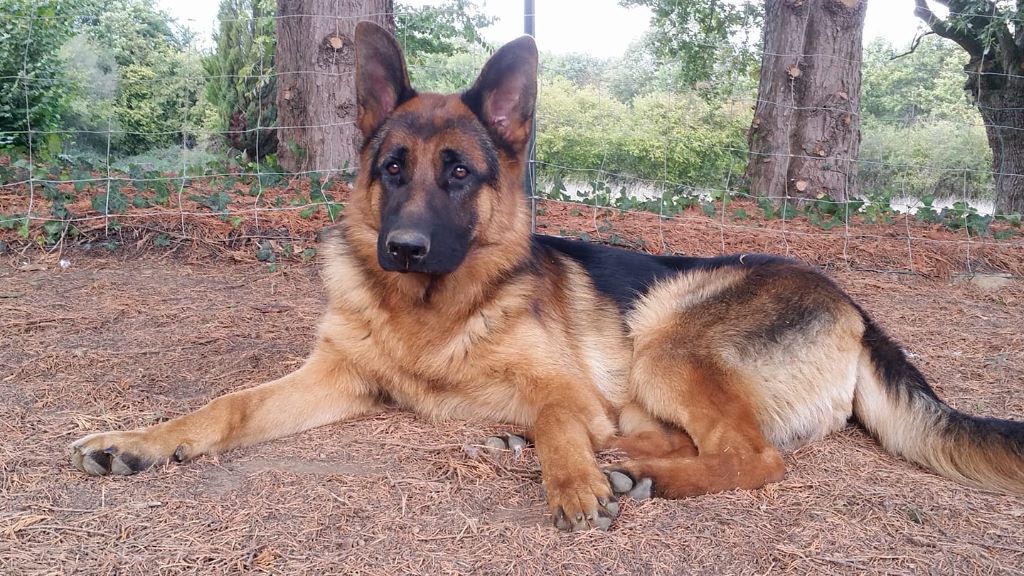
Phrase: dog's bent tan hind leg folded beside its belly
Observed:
(698, 395)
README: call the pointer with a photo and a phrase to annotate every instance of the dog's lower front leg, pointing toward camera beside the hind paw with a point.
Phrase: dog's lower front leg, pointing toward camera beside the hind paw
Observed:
(579, 493)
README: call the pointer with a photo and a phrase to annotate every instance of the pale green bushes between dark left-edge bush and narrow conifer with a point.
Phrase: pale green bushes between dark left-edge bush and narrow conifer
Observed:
(137, 84)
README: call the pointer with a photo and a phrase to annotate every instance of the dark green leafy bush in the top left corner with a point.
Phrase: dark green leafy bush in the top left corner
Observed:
(34, 94)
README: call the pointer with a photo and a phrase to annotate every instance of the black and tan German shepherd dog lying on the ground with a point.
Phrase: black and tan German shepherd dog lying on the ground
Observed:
(441, 301)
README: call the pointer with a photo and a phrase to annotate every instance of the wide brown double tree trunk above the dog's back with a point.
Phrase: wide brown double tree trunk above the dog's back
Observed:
(805, 137)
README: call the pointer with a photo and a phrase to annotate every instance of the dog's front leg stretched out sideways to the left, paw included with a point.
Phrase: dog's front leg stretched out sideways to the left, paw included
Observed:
(325, 390)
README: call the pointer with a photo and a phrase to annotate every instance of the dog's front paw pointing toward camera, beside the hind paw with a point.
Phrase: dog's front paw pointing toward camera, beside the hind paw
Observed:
(582, 503)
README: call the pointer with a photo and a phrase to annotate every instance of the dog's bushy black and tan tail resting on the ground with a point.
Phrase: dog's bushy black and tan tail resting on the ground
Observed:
(894, 402)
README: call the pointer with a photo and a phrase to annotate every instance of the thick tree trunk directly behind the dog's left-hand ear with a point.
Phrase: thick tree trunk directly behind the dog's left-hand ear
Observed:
(316, 60)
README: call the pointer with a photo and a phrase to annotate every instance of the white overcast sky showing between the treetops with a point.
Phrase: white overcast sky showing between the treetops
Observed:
(601, 28)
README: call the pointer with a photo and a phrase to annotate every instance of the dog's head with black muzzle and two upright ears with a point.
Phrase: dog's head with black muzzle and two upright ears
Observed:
(428, 160)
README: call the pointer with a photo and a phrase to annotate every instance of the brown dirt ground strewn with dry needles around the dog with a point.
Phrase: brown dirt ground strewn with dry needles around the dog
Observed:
(120, 341)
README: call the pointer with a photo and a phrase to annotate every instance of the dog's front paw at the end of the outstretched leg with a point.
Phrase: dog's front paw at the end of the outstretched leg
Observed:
(121, 454)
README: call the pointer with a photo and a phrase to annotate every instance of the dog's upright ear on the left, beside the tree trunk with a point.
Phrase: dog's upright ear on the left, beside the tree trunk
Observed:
(381, 77)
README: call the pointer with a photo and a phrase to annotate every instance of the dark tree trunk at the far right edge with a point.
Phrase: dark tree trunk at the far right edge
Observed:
(1000, 98)
